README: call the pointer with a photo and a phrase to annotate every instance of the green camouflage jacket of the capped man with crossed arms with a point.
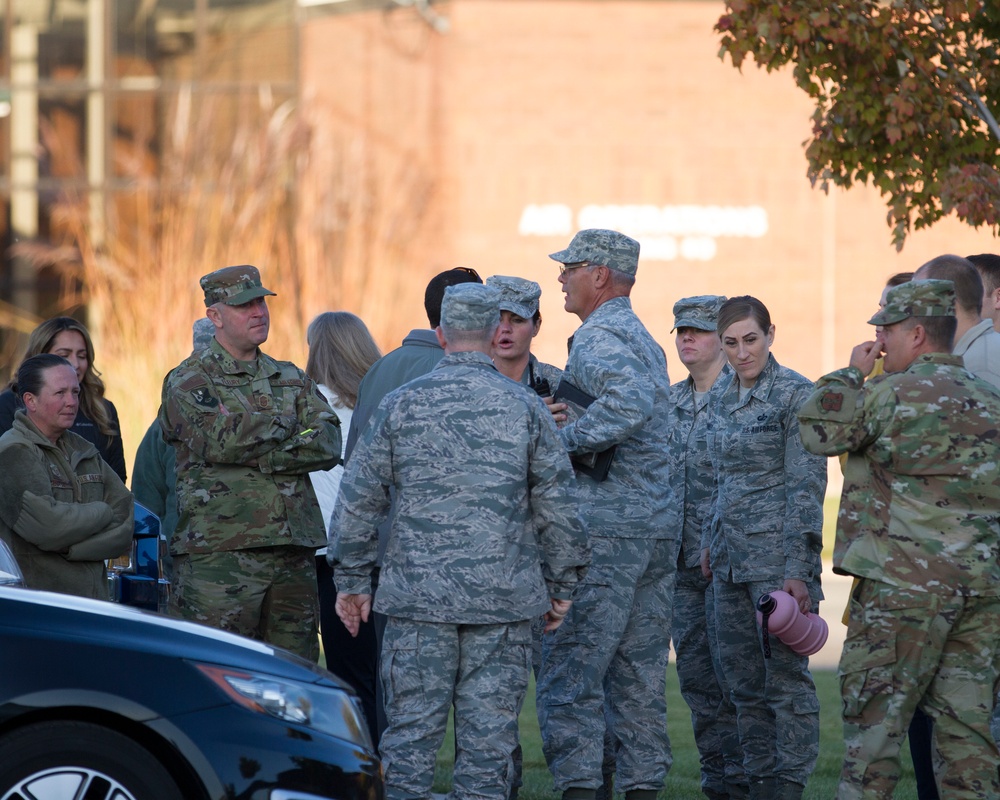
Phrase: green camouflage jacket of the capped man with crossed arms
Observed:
(243, 476)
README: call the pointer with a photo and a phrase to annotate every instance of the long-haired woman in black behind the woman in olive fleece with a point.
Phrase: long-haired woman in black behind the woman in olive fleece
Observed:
(97, 419)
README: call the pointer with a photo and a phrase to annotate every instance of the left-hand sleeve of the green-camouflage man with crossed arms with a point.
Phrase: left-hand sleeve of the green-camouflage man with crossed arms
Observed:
(190, 413)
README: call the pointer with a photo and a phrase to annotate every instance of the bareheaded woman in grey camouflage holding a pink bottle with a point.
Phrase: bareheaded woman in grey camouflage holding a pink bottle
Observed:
(765, 535)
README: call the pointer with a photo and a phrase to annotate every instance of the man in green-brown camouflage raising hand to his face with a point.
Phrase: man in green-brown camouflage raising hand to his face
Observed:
(918, 524)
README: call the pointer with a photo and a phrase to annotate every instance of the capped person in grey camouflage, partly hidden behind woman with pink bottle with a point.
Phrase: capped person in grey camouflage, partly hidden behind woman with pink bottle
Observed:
(699, 672)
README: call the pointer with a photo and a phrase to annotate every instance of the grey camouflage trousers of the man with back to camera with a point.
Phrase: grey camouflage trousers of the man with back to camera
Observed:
(426, 669)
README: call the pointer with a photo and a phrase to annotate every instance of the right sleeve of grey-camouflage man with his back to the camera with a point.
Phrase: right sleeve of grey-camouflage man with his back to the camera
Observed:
(554, 510)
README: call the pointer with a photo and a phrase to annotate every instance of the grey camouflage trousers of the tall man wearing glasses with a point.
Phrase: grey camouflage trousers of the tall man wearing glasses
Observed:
(612, 648)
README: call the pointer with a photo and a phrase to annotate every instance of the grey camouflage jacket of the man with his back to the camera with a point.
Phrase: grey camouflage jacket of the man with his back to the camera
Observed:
(484, 497)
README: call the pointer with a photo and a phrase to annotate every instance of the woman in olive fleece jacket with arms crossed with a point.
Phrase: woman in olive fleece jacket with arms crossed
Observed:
(63, 510)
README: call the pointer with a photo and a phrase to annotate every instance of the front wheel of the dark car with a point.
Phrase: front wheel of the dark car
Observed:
(67, 760)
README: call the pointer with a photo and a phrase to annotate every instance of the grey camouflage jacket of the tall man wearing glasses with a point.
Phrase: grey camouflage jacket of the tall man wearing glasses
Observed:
(614, 359)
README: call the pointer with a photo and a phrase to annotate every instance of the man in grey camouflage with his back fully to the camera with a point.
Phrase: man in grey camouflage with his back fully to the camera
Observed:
(484, 538)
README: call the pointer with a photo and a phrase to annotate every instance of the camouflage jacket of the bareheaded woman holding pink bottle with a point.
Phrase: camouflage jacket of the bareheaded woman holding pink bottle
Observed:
(767, 519)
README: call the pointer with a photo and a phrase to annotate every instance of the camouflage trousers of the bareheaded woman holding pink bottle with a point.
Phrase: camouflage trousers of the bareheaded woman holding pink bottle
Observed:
(777, 710)
